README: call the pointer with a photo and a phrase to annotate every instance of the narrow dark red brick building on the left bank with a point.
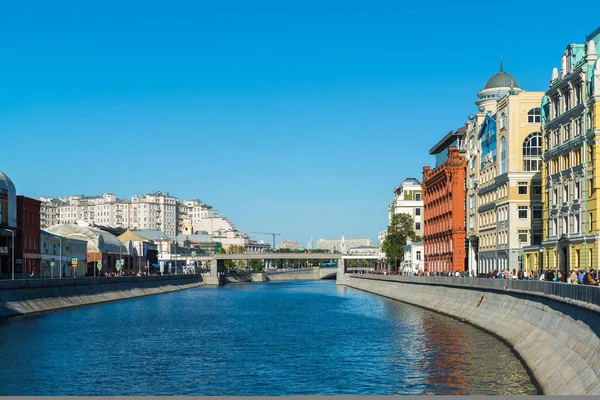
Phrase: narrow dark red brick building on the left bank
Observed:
(27, 251)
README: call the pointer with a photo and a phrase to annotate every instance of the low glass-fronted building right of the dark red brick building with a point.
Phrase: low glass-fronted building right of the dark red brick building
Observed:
(57, 253)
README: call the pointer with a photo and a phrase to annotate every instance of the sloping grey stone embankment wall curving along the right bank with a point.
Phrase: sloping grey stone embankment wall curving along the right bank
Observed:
(558, 340)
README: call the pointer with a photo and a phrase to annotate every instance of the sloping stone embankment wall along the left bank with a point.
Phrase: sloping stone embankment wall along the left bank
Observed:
(32, 296)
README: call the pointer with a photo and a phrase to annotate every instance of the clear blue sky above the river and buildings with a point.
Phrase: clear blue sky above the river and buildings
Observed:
(296, 117)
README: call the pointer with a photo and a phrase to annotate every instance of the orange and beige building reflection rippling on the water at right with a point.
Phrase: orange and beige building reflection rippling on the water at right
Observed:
(453, 358)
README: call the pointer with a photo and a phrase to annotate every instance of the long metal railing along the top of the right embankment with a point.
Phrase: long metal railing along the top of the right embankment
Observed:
(584, 293)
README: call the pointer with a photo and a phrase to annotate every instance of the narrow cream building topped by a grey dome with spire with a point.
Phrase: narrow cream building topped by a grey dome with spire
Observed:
(498, 86)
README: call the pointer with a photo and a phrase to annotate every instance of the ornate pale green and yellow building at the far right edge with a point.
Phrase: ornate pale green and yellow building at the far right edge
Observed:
(570, 117)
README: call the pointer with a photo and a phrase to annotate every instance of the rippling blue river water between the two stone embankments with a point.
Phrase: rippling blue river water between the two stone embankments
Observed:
(275, 338)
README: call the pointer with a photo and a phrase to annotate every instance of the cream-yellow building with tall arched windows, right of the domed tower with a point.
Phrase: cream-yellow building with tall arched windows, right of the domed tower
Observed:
(509, 182)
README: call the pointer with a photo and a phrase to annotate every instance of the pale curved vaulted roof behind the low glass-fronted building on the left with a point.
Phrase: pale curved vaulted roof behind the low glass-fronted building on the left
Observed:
(97, 239)
